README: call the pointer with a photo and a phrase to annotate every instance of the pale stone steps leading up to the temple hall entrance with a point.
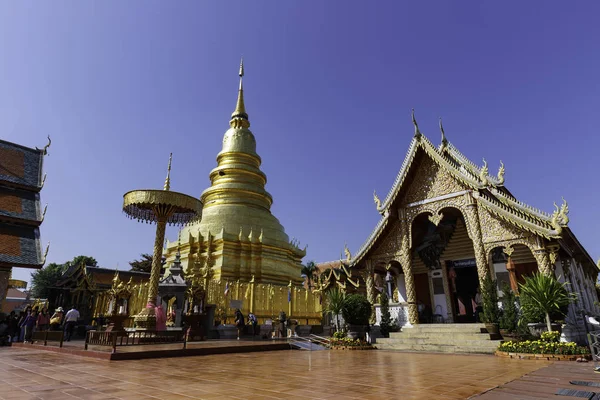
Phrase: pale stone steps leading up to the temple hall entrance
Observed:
(442, 338)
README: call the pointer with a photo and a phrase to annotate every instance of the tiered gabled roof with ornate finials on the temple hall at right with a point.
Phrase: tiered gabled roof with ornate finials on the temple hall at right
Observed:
(488, 189)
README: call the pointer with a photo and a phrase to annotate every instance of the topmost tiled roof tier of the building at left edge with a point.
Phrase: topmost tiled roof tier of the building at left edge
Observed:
(20, 165)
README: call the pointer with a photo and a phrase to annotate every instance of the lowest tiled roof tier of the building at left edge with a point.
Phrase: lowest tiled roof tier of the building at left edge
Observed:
(20, 246)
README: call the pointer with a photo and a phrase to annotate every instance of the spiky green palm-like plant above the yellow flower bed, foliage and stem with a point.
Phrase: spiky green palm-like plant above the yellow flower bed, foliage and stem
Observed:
(546, 294)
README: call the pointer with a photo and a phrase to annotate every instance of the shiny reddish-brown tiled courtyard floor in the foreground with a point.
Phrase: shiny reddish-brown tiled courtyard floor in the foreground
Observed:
(38, 374)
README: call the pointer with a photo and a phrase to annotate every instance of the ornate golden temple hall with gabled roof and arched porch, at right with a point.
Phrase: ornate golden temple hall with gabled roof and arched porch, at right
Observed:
(447, 223)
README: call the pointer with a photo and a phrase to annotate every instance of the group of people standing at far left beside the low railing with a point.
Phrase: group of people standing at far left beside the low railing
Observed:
(20, 327)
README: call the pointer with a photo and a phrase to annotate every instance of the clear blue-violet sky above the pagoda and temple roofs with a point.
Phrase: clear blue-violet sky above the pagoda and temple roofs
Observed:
(329, 88)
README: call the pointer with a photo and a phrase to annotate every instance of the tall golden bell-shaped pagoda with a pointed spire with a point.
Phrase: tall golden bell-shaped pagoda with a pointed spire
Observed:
(239, 246)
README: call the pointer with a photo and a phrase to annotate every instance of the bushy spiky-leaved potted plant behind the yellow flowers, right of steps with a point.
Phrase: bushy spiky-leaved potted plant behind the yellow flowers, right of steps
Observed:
(544, 298)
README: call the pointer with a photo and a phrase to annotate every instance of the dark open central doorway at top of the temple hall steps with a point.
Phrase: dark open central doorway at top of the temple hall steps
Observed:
(463, 282)
